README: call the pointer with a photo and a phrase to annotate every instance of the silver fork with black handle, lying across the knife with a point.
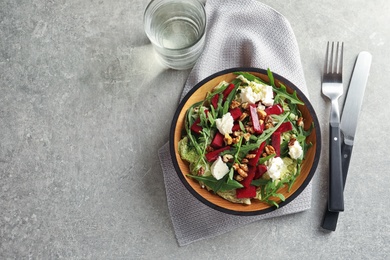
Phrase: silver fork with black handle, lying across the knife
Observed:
(332, 87)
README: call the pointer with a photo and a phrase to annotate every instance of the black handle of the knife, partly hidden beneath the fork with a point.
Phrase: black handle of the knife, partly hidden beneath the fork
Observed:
(330, 218)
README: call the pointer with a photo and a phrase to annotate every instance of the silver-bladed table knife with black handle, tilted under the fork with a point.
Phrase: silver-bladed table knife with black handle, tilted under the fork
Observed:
(349, 121)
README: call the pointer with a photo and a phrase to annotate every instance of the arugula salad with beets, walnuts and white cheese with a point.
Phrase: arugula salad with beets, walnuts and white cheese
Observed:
(246, 140)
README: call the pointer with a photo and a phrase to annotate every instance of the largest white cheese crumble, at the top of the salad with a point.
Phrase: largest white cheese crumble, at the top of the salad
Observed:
(255, 92)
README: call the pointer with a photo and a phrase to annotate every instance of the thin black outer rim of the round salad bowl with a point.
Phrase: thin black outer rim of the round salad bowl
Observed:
(288, 84)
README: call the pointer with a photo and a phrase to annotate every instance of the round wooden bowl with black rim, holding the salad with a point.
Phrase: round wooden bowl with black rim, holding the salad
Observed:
(308, 167)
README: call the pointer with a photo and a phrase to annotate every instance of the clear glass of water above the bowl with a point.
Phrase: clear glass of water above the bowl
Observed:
(176, 29)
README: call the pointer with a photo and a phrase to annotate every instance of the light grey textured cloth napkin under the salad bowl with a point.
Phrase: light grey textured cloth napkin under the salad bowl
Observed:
(242, 33)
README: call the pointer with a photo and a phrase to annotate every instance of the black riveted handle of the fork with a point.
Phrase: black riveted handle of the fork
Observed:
(336, 193)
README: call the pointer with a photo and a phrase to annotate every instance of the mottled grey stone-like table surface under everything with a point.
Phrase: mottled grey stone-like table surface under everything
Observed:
(84, 108)
